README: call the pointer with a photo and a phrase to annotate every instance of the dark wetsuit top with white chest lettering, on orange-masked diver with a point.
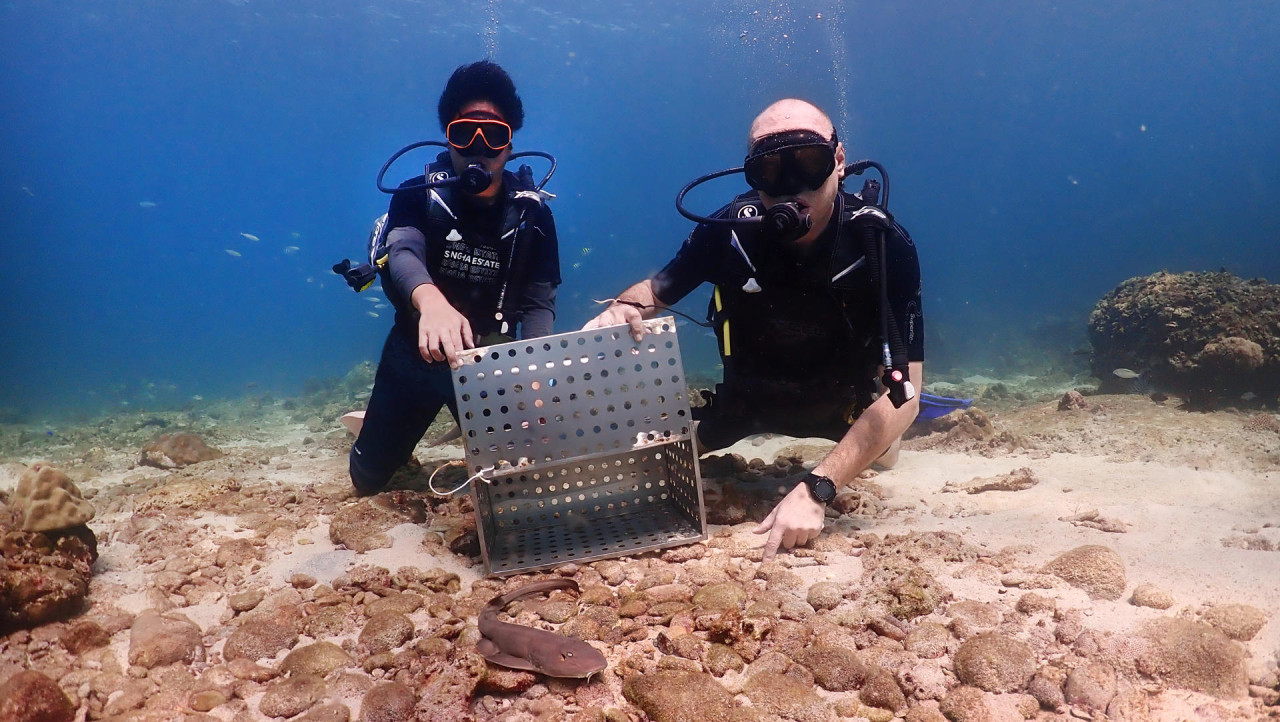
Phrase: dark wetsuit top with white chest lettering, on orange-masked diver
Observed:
(468, 262)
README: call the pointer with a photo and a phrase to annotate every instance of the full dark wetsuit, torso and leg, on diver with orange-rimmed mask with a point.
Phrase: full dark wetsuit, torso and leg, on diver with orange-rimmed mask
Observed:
(468, 261)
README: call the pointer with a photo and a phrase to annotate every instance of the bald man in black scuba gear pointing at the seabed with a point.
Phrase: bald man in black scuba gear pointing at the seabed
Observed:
(816, 308)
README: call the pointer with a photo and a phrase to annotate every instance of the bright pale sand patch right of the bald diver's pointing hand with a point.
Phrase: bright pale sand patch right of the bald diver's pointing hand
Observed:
(1177, 518)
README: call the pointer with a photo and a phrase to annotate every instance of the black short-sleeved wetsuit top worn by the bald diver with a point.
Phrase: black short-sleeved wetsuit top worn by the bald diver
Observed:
(802, 348)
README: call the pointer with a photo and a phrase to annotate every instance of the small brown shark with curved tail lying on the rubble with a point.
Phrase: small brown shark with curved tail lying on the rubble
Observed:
(528, 648)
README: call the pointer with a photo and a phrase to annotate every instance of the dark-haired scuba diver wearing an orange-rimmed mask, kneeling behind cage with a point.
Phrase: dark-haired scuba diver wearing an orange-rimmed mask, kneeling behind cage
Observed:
(468, 255)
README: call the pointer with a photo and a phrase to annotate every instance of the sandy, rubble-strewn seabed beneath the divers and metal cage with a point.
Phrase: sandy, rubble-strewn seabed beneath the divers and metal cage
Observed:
(1188, 502)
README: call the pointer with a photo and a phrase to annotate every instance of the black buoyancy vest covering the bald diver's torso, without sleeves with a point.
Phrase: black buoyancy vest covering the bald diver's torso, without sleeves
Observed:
(798, 333)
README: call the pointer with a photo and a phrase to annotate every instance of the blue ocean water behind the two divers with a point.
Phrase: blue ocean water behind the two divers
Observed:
(1040, 154)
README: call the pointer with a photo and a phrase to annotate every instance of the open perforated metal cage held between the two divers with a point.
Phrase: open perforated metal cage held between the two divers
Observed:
(587, 442)
